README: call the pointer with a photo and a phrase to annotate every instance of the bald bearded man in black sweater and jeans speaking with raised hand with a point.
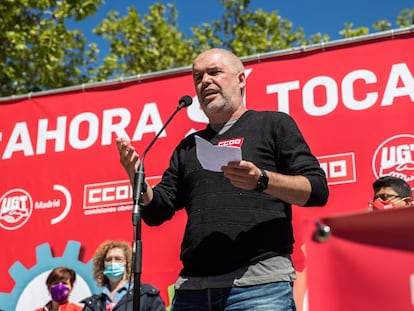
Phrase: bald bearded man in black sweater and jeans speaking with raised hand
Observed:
(238, 238)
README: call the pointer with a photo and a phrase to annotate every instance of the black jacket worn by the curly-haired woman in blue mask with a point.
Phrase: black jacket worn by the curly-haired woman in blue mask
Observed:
(150, 300)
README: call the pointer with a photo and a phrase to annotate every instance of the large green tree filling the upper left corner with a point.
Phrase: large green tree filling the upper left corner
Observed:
(37, 50)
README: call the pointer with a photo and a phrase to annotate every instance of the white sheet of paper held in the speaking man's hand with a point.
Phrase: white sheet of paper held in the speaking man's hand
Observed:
(213, 157)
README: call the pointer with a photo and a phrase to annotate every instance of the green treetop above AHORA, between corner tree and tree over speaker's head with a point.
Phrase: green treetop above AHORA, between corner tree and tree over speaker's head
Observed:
(141, 45)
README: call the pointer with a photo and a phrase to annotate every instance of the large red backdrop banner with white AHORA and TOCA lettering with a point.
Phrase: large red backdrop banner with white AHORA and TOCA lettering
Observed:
(63, 190)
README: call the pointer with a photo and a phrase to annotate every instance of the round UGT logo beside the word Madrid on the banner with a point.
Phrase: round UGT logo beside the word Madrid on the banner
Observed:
(16, 206)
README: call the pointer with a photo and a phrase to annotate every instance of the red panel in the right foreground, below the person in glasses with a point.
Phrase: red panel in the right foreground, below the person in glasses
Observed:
(365, 264)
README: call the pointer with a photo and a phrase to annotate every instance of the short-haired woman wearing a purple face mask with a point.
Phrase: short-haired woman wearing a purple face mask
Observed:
(59, 284)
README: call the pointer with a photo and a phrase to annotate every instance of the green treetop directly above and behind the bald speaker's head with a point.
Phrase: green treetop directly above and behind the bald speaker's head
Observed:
(248, 32)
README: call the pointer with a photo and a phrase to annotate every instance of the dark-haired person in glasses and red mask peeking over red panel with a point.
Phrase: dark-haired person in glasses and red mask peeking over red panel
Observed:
(391, 192)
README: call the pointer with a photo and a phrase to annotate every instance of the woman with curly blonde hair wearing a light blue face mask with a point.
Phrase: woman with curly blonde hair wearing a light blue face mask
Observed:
(112, 268)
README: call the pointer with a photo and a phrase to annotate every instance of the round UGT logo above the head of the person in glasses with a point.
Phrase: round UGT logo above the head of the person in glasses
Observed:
(395, 157)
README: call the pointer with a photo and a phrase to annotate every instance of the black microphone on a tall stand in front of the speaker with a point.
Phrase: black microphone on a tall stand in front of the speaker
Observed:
(139, 188)
